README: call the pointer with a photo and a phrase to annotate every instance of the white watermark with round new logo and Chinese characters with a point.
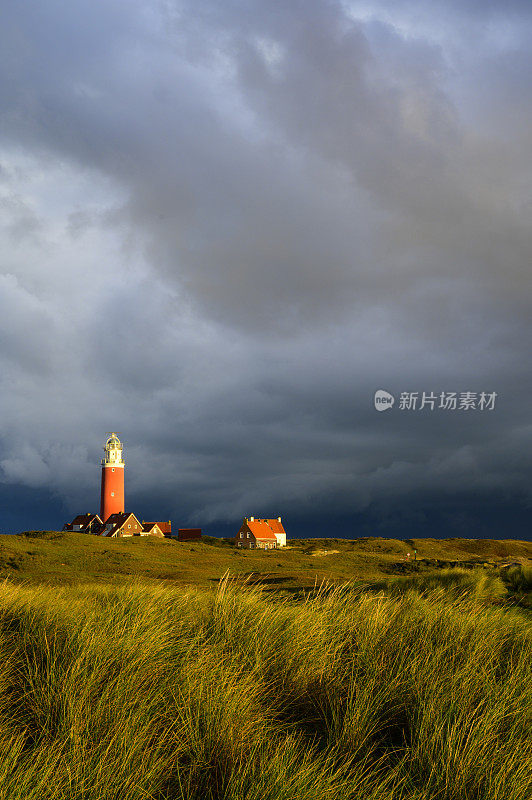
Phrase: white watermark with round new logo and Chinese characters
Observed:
(432, 401)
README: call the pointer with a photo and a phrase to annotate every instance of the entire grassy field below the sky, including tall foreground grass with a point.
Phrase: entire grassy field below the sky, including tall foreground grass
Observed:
(134, 669)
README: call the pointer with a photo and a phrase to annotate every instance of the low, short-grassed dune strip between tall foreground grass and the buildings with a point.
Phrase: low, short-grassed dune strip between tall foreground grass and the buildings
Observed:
(73, 558)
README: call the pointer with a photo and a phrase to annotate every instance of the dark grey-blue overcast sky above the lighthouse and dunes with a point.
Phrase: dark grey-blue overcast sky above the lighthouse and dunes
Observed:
(225, 224)
